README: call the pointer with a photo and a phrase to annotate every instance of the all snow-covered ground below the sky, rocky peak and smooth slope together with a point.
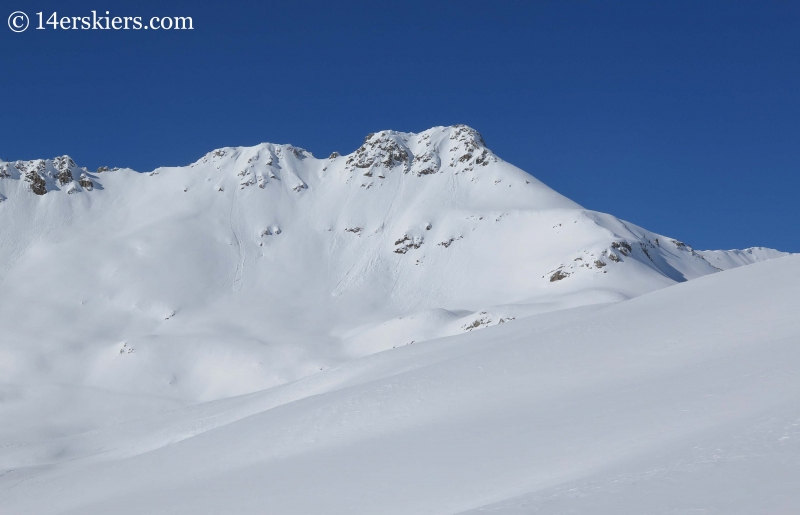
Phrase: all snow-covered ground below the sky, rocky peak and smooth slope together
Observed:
(416, 327)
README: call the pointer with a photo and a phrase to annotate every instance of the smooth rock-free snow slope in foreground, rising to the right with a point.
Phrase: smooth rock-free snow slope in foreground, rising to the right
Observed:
(683, 400)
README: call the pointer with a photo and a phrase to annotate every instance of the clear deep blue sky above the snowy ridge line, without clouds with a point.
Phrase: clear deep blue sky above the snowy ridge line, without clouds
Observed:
(682, 117)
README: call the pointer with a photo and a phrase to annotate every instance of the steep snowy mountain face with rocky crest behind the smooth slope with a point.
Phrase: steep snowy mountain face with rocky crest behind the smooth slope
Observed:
(256, 266)
